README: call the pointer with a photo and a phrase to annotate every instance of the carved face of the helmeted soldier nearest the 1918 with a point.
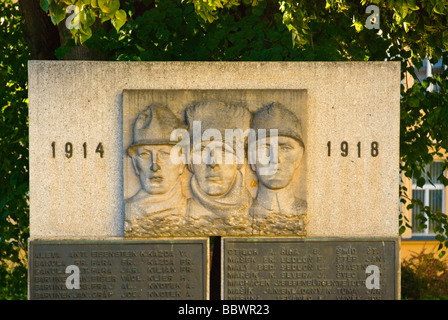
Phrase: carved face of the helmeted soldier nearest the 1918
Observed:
(288, 159)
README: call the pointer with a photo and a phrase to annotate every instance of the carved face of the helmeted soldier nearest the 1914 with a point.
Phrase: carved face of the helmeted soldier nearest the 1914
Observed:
(156, 172)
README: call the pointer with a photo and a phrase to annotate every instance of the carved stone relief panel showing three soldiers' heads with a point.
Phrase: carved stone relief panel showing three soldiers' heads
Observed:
(214, 162)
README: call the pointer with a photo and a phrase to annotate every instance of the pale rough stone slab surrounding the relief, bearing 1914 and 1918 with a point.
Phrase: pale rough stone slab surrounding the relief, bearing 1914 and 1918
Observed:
(82, 196)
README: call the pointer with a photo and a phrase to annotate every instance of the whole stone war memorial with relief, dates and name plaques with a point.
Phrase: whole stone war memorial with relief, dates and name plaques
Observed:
(279, 178)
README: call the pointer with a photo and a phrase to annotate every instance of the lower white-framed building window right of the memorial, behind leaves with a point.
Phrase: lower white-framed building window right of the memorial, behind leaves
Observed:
(430, 194)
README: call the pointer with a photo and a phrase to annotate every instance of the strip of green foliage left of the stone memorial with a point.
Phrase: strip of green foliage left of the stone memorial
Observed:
(14, 217)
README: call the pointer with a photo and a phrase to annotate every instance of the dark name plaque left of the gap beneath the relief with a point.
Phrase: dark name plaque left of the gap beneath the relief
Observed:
(115, 269)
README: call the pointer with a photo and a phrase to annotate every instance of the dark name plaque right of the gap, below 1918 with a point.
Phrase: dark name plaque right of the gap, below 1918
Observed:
(311, 269)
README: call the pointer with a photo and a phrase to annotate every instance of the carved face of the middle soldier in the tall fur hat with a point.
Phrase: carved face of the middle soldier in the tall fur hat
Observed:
(216, 177)
